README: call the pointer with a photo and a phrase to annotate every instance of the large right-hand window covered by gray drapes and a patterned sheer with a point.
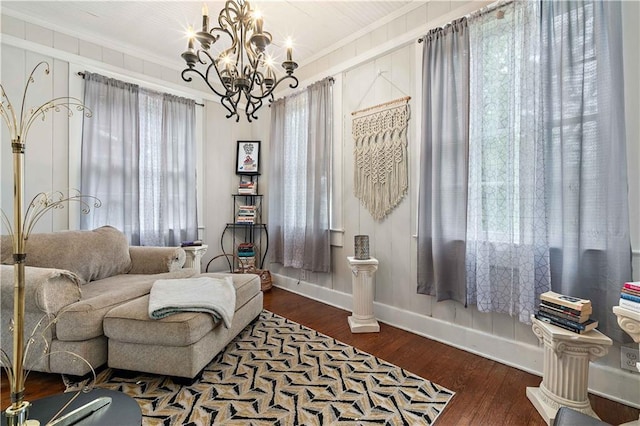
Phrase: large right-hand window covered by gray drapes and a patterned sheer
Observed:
(547, 204)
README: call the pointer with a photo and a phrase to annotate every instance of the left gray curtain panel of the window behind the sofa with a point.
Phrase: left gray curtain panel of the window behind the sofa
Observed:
(110, 153)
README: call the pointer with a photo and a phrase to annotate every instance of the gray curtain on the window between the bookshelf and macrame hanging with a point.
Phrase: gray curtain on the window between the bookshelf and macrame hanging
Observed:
(299, 178)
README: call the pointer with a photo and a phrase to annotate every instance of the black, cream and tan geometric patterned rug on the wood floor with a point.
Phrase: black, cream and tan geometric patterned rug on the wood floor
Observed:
(278, 372)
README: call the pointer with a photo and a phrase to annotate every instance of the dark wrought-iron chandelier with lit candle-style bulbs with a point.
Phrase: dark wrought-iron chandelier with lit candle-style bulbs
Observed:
(242, 68)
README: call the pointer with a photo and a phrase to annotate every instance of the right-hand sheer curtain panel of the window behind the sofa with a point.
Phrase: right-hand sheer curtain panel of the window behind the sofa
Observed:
(167, 171)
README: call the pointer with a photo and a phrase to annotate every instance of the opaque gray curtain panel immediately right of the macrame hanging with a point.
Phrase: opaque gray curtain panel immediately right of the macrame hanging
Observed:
(442, 200)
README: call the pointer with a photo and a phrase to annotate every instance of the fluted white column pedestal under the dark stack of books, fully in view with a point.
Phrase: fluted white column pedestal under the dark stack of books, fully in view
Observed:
(565, 376)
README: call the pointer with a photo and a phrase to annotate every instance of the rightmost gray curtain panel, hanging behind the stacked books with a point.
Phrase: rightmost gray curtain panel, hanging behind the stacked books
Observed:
(586, 164)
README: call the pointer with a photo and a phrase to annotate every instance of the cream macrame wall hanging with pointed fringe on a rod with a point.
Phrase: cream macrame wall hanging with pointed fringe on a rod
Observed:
(380, 179)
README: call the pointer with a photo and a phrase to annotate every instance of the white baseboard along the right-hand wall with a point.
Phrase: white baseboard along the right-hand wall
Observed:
(611, 383)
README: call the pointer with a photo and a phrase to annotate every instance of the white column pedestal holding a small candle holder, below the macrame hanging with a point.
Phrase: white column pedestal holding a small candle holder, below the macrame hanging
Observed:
(363, 320)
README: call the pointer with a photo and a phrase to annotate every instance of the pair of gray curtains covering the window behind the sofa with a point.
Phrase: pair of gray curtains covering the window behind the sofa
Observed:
(139, 159)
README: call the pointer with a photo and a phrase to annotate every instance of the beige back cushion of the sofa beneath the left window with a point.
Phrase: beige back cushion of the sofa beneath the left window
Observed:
(92, 255)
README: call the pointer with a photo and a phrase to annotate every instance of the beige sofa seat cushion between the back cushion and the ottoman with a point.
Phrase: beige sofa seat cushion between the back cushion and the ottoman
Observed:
(83, 320)
